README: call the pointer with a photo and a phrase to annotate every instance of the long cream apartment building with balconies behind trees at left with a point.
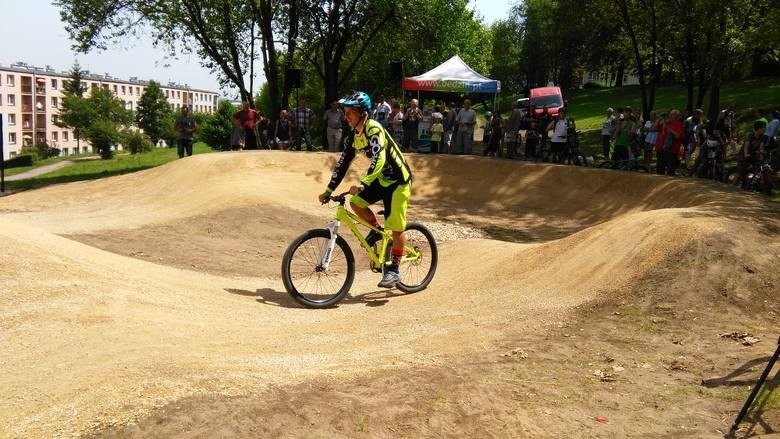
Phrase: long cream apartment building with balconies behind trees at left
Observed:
(30, 99)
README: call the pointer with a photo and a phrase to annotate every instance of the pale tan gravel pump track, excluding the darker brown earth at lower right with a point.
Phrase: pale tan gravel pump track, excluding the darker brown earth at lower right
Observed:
(96, 338)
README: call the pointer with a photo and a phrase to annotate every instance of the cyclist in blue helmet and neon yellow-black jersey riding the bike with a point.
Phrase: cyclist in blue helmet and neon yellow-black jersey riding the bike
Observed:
(388, 178)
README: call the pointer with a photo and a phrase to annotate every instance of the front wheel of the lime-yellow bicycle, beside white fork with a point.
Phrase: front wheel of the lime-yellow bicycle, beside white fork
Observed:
(306, 282)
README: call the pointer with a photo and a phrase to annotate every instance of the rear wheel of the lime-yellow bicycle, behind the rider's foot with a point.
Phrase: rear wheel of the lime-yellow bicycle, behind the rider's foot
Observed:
(416, 275)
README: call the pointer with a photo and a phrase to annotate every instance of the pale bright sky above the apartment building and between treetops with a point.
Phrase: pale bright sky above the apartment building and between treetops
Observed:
(32, 32)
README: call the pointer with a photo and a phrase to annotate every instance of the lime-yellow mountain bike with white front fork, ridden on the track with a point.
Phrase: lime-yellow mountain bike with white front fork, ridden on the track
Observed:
(318, 267)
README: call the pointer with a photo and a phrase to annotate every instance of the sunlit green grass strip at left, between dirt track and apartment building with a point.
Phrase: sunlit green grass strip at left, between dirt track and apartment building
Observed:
(90, 169)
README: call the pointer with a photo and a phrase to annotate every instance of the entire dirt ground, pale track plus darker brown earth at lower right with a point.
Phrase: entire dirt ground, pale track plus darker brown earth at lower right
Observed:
(568, 302)
